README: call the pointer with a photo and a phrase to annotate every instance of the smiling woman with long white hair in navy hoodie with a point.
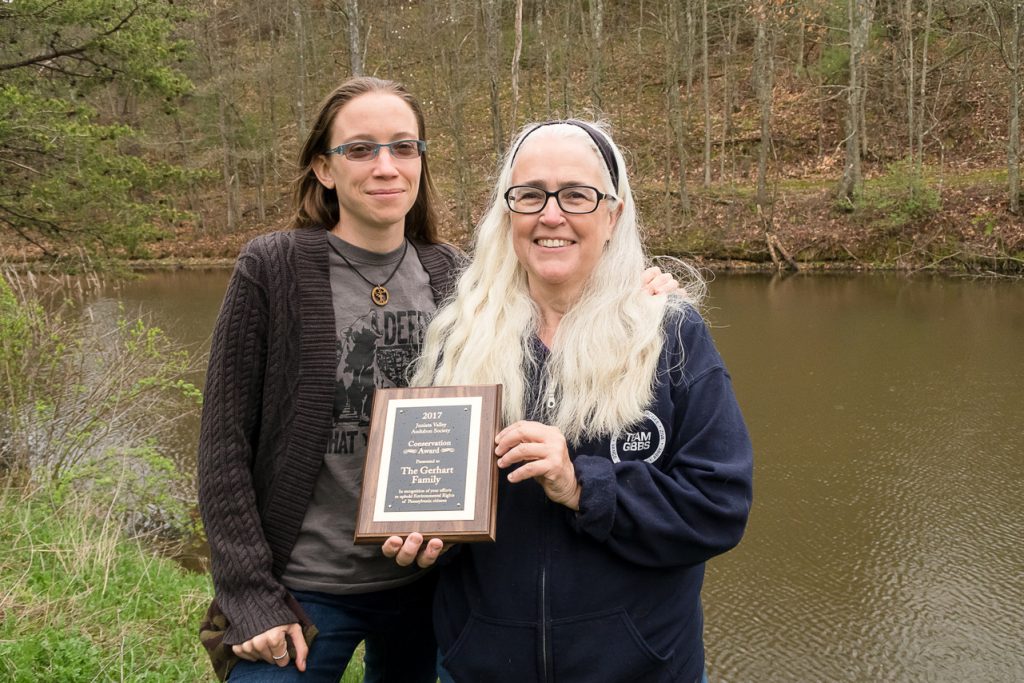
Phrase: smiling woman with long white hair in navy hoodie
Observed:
(627, 458)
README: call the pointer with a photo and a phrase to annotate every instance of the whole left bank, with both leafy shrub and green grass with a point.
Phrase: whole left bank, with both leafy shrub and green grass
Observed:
(89, 496)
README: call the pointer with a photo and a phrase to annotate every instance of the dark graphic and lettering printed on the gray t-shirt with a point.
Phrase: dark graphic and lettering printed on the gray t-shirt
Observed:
(375, 352)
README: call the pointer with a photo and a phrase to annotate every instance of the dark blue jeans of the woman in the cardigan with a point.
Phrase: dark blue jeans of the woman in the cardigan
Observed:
(397, 626)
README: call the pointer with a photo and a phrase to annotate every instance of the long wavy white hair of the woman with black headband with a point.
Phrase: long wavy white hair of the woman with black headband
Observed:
(604, 359)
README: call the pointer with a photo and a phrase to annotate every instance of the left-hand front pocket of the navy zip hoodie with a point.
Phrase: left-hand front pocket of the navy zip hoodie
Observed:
(494, 651)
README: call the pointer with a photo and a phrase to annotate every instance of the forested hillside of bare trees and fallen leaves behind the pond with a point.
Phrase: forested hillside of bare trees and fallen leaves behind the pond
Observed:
(850, 133)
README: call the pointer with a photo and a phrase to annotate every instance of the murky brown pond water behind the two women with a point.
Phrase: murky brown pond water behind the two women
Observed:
(887, 537)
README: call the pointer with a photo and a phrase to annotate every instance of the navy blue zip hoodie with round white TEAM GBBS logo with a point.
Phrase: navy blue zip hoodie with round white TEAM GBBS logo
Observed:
(611, 593)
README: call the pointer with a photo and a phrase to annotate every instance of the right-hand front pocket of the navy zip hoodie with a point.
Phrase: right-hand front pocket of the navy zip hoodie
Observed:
(606, 648)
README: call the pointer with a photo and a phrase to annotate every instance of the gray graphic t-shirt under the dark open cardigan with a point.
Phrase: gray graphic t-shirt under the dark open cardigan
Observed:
(376, 346)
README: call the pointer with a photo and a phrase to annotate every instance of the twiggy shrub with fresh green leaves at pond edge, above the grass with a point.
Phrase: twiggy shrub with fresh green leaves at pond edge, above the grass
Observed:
(90, 400)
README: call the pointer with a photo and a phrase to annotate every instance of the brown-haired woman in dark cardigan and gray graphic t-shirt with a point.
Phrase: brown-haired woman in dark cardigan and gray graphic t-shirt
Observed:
(314, 320)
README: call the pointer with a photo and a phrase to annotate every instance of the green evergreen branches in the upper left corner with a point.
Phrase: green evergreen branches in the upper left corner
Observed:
(73, 177)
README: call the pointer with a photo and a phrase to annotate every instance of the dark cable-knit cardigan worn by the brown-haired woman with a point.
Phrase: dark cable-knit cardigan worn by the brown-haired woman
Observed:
(267, 416)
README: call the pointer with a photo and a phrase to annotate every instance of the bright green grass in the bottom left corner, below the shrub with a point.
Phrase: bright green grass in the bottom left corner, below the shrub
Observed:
(80, 603)
